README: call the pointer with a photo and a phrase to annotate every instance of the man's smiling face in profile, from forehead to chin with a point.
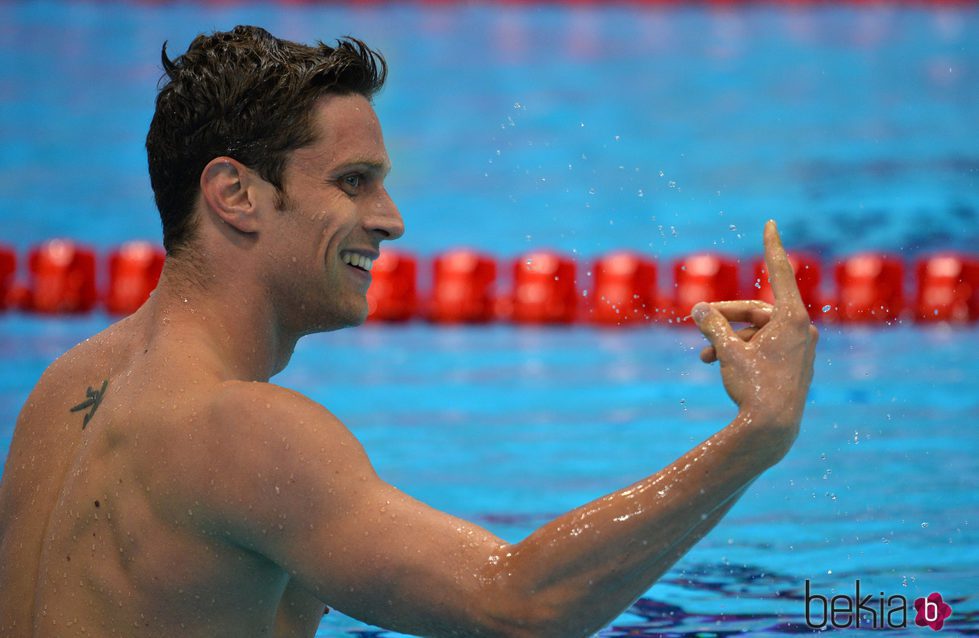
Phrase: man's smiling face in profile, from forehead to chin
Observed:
(335, 215)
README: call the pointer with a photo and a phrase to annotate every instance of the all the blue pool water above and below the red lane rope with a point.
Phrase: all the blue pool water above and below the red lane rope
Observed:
(587, 129)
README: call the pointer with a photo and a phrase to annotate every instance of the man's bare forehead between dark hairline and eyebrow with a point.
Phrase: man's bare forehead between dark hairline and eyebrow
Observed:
(347, 131)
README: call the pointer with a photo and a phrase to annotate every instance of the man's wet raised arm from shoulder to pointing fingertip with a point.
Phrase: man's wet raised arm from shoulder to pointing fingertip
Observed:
(307, 498)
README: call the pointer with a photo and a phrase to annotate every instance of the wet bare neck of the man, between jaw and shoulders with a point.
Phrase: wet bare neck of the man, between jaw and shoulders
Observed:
(231, 325)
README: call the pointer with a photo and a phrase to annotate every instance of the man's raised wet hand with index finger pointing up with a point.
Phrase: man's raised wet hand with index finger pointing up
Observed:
(767, 367)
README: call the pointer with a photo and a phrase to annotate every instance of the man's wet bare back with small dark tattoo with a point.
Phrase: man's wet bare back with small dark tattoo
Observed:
(91, 542)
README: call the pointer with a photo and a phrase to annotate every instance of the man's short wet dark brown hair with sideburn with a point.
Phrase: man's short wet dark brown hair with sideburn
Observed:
(246, 94)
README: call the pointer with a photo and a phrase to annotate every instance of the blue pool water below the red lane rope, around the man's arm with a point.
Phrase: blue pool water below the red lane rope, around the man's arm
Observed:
(509, 427)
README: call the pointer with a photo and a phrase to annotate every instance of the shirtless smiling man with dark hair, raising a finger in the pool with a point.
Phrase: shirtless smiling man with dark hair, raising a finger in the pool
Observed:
(158, 485)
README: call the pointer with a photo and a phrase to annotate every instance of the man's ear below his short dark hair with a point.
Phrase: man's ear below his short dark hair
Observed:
(234, 193)
